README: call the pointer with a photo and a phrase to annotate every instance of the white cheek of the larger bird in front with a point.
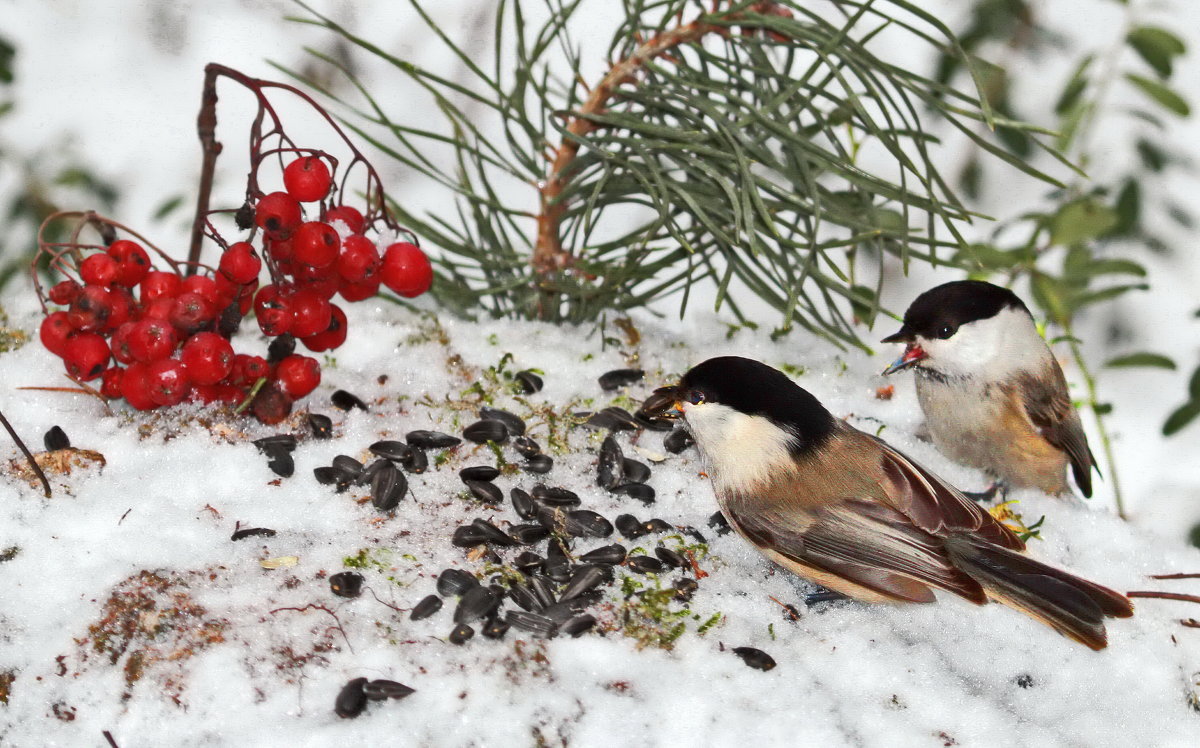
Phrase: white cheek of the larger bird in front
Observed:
(741, 452)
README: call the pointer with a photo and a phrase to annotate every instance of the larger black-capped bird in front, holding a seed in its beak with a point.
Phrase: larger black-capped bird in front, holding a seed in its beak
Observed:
(847, 511)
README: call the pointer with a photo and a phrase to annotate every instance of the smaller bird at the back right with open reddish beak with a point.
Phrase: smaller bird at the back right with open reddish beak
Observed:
(993, 394)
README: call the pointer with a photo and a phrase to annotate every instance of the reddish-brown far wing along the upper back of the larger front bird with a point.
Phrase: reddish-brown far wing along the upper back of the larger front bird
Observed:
(934, 505)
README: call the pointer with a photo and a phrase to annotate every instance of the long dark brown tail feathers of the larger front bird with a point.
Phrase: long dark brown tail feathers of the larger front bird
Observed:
(1070, 605)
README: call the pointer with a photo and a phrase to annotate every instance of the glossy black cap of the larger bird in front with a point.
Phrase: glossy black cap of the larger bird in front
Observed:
(758, 390)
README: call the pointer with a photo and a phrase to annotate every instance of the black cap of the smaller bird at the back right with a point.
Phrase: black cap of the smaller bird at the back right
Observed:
(943, 310)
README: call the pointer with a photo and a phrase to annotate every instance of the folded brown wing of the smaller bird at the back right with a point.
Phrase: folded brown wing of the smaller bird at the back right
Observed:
(1048, 405)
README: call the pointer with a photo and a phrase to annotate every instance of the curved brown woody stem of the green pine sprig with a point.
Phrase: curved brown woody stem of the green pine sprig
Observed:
(549, 256)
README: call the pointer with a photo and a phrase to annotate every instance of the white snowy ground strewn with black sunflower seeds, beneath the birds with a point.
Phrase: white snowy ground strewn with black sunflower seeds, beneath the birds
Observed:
(172, 492)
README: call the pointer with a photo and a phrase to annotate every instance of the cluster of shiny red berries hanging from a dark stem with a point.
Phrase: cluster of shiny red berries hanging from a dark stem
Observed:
(170, 336)
